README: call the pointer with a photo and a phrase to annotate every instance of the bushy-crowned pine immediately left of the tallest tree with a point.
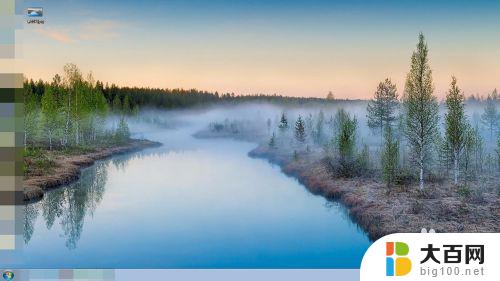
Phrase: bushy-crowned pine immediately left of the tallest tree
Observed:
(382, 108)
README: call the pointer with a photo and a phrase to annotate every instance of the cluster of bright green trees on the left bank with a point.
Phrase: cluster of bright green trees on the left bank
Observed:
(71, 111)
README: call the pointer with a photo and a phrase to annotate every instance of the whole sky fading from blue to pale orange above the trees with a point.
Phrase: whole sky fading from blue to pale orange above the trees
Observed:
(288, 47)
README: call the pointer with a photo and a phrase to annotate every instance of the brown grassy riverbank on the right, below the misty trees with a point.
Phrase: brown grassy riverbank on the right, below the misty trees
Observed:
(380, 211)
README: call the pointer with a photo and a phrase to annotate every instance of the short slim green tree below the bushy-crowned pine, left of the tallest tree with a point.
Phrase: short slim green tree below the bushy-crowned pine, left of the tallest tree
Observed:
(390, 157)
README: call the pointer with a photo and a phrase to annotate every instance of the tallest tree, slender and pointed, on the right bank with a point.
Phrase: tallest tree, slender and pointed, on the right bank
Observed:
(421, 108)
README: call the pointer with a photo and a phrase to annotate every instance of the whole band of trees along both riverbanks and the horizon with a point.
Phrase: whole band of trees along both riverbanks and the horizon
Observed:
(73, 110)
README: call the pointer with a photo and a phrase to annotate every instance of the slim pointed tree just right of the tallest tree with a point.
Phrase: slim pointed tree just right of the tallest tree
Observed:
(455, 125)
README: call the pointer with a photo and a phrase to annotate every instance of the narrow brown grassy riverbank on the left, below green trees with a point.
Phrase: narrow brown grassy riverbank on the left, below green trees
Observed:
(59, 168)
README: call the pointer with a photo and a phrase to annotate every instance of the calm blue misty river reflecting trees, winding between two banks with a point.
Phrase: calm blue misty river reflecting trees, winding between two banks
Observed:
(191, 203)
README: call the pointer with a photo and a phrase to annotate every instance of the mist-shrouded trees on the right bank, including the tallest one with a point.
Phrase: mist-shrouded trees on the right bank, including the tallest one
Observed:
(416, 143)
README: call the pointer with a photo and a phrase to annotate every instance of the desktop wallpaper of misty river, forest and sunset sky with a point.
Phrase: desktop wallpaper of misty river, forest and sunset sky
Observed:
(252, 134)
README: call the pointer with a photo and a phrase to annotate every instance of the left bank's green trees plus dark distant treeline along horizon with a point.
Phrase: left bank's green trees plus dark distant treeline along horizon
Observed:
(72, 109)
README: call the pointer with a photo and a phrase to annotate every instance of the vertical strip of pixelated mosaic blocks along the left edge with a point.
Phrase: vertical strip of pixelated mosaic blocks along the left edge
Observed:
(11, 133)
